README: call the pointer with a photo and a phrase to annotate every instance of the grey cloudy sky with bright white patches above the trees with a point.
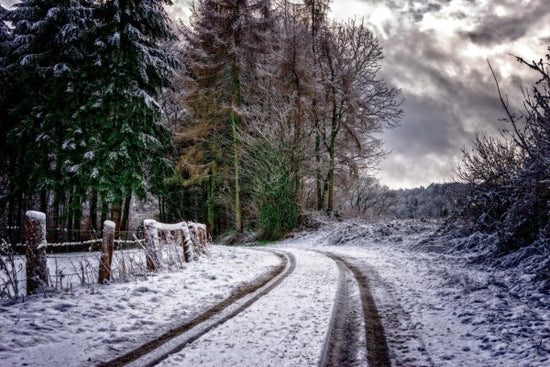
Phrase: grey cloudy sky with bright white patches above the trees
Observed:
(436, 52)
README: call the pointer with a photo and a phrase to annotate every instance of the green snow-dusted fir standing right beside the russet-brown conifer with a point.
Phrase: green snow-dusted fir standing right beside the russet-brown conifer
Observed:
(125, 135)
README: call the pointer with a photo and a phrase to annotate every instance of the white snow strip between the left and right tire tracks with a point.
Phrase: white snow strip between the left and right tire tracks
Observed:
(286, 327)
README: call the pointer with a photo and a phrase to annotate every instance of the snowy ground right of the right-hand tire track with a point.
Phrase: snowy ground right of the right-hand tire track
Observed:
(460, 313)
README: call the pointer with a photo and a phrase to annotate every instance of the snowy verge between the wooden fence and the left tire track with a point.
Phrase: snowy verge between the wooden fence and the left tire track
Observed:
(89, 324)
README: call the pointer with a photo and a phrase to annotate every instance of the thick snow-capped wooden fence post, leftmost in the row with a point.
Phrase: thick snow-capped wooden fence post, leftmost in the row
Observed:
(37, 266)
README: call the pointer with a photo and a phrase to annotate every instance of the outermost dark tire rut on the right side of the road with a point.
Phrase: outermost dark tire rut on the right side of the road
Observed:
(376, 344)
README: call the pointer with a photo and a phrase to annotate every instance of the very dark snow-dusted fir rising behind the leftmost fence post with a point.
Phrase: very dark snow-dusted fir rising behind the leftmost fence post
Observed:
(46, 58)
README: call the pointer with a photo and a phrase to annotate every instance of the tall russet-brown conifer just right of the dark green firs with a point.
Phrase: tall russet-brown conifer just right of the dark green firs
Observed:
(224, 39)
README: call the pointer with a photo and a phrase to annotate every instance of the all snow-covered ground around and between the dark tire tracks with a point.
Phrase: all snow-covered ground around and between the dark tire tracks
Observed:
(437, 308)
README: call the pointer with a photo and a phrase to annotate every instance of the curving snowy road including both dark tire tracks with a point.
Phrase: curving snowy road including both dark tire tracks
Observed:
(317, 311)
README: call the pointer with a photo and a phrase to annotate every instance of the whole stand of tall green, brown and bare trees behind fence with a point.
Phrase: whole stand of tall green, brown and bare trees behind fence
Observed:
(250, 114)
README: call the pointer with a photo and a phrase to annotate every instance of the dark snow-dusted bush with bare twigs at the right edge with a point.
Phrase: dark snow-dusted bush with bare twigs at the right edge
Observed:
(508, 181)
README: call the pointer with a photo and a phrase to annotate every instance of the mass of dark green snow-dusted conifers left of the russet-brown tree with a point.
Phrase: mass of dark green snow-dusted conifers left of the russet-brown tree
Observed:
(85, 77)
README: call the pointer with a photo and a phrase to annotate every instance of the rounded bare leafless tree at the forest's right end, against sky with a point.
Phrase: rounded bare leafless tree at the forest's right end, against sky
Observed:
(359, 103)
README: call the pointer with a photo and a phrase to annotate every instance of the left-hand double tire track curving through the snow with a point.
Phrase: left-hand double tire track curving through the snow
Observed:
(175, 340)
